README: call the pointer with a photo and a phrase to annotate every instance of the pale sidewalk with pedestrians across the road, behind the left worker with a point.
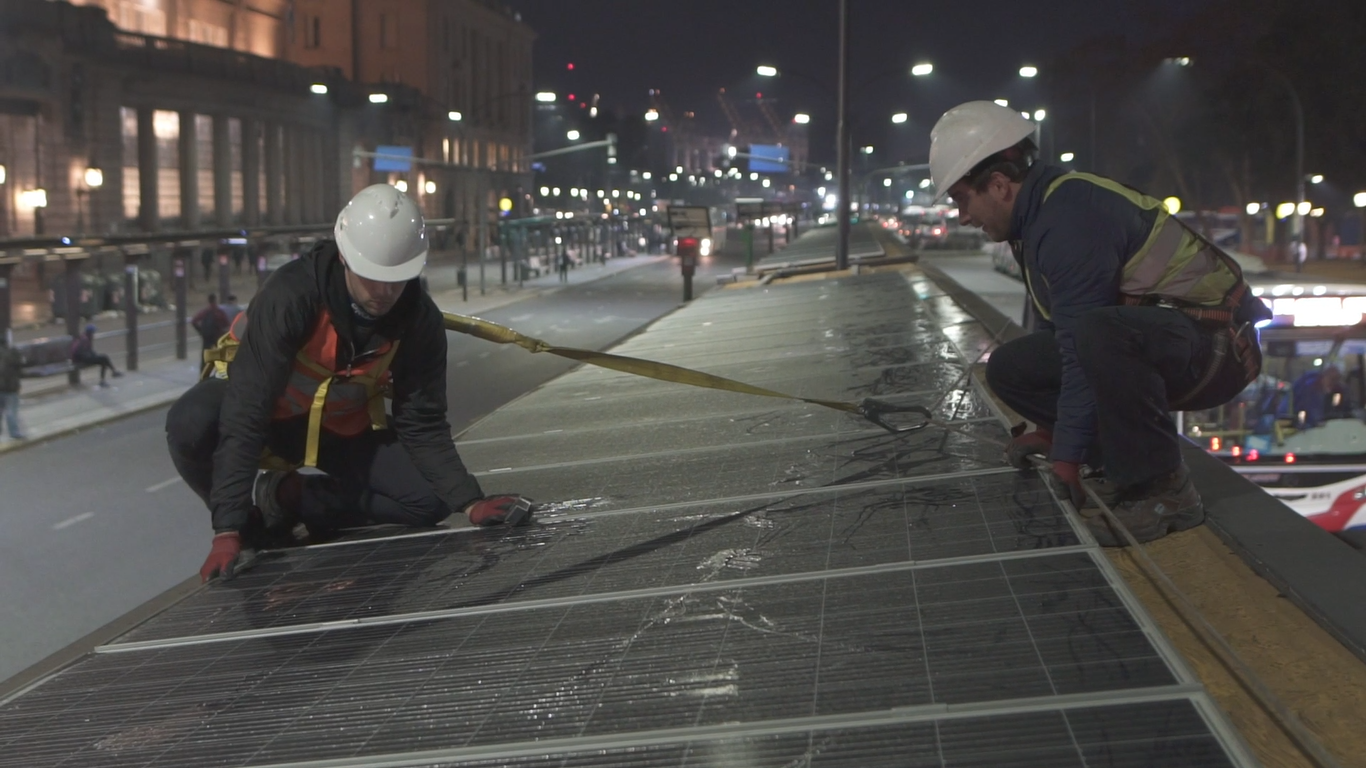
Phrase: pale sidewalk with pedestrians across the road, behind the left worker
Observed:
(51, 409)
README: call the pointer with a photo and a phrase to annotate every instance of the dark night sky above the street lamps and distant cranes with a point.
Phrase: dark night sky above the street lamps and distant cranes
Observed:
(692, 49)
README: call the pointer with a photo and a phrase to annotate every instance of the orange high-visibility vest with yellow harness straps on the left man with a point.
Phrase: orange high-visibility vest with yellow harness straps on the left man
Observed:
(345, 401)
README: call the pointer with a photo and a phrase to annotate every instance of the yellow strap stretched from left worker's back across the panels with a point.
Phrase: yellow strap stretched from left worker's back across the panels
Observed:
(869, 409)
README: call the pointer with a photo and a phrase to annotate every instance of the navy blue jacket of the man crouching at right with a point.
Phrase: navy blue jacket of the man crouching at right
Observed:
(1073, 252)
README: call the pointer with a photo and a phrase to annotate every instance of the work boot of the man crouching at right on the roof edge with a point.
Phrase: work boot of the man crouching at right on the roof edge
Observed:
(1154, 510)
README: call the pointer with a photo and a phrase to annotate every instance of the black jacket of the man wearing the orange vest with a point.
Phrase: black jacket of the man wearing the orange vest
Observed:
(279, 325)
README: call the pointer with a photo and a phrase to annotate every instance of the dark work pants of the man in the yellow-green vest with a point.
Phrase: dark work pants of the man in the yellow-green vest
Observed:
(1137, 360)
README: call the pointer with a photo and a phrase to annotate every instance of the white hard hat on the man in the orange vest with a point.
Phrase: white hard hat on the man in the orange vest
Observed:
(382, 236)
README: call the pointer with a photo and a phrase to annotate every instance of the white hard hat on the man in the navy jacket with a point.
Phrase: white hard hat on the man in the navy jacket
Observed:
(969, 135)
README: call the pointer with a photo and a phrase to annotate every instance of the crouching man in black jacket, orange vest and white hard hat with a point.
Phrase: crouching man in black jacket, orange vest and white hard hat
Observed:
(301, 381)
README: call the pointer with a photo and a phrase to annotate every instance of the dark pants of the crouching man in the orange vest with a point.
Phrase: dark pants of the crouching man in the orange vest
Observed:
(370, 479)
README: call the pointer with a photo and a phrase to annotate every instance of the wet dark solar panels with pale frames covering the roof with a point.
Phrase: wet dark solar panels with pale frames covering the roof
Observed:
(715, 580)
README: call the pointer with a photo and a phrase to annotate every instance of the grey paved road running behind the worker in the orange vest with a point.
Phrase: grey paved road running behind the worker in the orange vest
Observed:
(98, 524)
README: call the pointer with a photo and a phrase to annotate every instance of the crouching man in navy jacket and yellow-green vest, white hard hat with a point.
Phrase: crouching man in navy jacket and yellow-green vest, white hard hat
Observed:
(1136, 316)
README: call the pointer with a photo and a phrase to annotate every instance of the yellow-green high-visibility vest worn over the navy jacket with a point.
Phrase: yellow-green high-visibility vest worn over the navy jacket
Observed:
(1174, 264)
